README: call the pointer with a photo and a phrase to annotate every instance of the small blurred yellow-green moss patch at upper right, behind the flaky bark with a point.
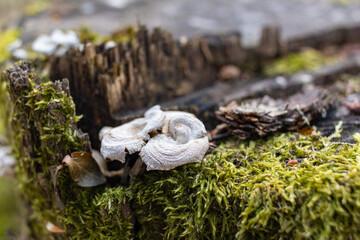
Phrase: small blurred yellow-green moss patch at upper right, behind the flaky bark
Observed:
(306, 60)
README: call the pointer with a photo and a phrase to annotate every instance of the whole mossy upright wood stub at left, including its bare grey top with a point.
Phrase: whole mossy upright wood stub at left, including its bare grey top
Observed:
(43, 130)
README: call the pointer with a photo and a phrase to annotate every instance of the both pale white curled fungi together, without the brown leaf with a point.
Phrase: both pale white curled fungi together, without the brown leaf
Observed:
(164, 140)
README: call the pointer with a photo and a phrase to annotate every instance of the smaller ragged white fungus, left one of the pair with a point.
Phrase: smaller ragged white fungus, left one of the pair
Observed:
(129, 138)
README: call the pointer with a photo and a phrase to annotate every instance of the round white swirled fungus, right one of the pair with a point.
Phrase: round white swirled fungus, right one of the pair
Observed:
(183, 140)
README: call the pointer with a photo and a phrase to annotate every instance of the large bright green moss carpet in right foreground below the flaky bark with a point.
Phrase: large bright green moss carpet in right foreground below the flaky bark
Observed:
(246, 190)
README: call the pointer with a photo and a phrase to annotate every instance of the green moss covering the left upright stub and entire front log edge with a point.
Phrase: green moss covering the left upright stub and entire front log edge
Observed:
(242, 190)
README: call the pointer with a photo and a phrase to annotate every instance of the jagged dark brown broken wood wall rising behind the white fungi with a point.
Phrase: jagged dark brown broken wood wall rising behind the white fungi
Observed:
(108, 86)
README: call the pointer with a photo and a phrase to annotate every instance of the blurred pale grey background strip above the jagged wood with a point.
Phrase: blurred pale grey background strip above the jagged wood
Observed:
(180, 17)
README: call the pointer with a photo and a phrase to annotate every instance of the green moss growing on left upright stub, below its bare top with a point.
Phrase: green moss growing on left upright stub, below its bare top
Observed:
(33, 121)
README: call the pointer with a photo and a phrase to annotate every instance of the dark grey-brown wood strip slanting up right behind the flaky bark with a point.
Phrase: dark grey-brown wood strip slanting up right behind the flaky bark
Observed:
(205, 102)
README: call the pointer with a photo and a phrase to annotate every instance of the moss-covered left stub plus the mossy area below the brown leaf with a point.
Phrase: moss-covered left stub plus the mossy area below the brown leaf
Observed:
(44, 131)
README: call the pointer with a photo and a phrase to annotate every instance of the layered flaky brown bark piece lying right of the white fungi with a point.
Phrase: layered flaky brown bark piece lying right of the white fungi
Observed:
(260, 117)
